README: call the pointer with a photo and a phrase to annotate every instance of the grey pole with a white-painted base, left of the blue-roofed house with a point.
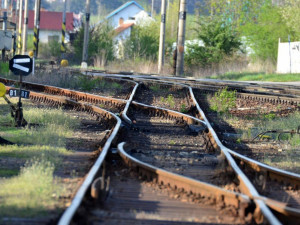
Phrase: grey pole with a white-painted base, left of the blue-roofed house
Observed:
(86, 36)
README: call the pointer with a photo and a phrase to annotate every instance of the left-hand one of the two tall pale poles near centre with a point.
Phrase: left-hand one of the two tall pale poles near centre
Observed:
(161, 54)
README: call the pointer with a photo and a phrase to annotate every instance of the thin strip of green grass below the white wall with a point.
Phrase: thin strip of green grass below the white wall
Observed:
(258, 77)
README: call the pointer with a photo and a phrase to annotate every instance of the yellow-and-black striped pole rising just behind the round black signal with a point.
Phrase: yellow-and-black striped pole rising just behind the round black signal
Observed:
(36, 30)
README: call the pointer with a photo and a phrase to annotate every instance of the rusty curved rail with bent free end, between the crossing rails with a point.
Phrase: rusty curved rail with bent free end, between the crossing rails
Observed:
(190, 185)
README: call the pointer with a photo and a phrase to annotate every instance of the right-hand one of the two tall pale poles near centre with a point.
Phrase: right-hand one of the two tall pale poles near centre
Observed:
(181, 38)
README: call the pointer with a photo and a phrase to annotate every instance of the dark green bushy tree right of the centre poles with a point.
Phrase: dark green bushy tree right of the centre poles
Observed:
(219, 40)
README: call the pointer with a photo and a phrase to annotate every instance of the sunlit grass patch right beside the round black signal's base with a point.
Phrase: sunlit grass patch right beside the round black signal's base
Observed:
(53, 128)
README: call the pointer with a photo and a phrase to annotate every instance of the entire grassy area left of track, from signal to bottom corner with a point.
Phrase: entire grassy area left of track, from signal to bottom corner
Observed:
(33, 190)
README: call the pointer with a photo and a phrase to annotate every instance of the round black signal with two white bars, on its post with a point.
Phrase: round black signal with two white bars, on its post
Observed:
(20, 65)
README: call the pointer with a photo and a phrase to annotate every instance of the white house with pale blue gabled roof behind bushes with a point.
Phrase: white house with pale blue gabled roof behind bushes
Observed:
(123, 19)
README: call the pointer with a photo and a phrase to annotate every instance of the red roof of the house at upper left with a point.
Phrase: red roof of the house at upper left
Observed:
(51, 20)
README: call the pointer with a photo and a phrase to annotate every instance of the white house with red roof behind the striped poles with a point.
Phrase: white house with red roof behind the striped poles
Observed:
(51, 25)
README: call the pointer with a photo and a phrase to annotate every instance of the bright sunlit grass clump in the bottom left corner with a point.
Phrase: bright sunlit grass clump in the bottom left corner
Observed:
(33, 192)
